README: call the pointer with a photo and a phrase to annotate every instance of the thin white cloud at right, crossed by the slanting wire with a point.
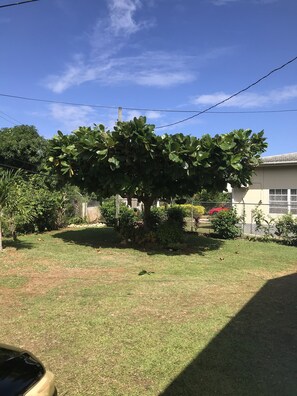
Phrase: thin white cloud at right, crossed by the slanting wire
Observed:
(248, 99)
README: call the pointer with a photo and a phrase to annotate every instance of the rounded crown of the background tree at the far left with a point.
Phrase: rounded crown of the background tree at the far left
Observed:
(22, 147)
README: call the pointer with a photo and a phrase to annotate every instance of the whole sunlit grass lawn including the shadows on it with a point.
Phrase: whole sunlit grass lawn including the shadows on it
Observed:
(216, 319)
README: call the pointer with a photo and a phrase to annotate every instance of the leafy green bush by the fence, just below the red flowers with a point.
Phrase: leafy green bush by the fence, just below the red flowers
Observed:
(225, 224)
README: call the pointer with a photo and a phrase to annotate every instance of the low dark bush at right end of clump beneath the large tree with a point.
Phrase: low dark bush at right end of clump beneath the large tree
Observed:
(170, 233)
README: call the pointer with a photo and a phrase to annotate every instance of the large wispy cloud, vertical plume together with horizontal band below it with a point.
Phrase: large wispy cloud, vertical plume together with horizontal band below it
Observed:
(104, 64)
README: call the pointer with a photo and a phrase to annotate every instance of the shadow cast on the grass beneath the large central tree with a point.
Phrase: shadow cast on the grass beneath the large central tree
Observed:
(108, 238)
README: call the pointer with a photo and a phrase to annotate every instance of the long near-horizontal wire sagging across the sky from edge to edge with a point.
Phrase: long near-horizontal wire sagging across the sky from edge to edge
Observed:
(142, 108)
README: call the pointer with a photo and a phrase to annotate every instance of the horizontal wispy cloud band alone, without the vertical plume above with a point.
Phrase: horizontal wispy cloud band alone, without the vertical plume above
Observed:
(156, 69)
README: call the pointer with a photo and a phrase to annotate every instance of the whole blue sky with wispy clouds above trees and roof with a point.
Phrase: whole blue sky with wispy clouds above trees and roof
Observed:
(153, 54)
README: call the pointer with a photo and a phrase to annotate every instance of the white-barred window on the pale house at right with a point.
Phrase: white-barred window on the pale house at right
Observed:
(283, 201)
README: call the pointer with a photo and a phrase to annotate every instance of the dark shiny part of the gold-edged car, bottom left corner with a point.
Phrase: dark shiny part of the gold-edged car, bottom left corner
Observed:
(19, 371)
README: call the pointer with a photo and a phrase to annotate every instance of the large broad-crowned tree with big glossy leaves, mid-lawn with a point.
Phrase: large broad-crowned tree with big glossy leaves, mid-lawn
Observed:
(133, 160)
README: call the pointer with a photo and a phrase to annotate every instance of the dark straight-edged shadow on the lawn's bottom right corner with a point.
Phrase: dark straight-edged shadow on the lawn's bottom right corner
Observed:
(255, 354)
